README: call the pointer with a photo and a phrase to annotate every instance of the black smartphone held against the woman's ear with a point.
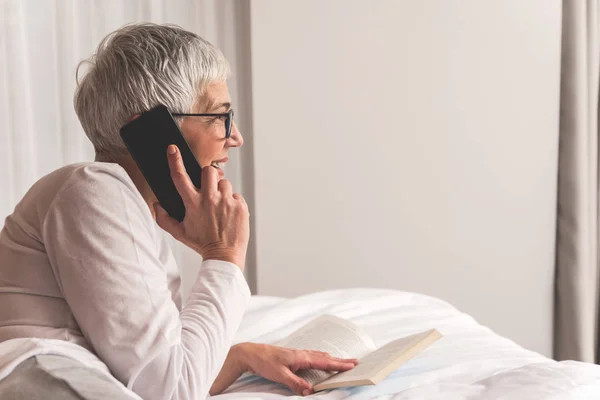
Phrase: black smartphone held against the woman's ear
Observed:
(147, 139)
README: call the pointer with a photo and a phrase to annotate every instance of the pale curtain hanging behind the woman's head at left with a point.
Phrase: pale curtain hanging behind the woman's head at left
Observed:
(41, 42)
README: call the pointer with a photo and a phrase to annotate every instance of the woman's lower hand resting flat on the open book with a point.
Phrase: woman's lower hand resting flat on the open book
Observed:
(277, 364)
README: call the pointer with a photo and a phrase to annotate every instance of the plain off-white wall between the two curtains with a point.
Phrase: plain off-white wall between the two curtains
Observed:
(410, 145)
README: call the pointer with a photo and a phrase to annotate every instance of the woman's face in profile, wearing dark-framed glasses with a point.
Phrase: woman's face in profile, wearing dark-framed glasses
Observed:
(206, 135)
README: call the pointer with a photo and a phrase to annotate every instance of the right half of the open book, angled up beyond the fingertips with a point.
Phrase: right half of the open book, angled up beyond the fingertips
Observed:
(386, 359)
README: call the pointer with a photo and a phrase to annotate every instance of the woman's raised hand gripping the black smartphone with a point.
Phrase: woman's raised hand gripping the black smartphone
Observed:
(216, 223)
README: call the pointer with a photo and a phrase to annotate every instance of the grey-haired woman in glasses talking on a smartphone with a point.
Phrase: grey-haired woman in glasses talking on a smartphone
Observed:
(89, 290)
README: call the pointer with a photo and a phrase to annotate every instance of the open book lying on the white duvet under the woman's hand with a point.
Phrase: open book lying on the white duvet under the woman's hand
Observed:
(343, 339)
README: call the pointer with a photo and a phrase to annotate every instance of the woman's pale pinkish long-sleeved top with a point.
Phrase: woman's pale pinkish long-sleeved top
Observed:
(83, 261)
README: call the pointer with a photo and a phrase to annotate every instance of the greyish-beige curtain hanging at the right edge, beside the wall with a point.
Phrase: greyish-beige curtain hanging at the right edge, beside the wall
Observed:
(576, 305)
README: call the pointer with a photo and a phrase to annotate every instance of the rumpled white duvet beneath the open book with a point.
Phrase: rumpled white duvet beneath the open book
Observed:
(469, 362)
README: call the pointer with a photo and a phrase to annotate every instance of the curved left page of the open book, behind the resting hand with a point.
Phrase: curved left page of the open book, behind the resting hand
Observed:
(336, 336)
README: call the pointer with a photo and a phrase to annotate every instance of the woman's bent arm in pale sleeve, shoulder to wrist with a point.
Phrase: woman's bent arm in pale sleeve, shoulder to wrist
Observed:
(100, 239)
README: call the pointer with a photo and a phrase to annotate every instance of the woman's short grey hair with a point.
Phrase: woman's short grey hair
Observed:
(136, 68)
